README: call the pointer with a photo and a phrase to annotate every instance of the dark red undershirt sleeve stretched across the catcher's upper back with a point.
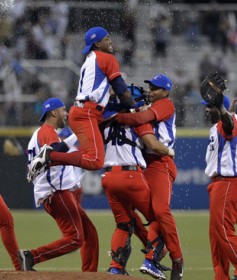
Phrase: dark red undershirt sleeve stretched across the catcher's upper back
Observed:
(135, 119)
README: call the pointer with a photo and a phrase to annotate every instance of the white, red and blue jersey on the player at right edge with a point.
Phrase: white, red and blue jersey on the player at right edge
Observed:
(221, 155)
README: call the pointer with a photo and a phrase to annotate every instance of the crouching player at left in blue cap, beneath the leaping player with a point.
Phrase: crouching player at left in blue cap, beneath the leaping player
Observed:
(54, 189)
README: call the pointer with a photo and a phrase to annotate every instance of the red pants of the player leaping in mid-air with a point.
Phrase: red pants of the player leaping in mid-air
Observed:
(84, 122)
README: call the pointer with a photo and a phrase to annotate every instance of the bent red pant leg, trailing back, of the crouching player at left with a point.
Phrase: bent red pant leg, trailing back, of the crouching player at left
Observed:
(67, 213)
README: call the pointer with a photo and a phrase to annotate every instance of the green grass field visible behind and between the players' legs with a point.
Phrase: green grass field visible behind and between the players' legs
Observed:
(35, 228)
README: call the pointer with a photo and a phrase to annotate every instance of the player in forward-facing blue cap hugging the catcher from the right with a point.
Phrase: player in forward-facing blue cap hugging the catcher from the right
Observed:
(161, 170)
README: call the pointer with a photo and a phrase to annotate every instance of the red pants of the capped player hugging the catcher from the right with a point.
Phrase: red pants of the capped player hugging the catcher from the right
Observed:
(160, 175)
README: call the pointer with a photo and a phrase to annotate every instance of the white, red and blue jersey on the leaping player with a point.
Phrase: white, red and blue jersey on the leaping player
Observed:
(98, 69)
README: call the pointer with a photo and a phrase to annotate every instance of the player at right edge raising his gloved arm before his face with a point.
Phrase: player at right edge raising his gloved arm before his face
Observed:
(221, 168)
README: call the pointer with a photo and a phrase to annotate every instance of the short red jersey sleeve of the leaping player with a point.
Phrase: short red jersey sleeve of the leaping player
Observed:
(108, 64)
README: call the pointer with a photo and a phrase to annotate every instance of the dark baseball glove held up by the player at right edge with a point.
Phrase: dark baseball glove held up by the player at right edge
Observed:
(212, 88)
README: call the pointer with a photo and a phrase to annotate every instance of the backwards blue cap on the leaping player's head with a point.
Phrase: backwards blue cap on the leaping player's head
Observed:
(93, 35)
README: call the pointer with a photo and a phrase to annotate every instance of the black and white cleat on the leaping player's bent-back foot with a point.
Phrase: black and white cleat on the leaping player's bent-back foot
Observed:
(38, 163)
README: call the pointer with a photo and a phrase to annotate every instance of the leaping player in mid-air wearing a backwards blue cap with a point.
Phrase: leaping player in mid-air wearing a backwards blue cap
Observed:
(99, 72)
